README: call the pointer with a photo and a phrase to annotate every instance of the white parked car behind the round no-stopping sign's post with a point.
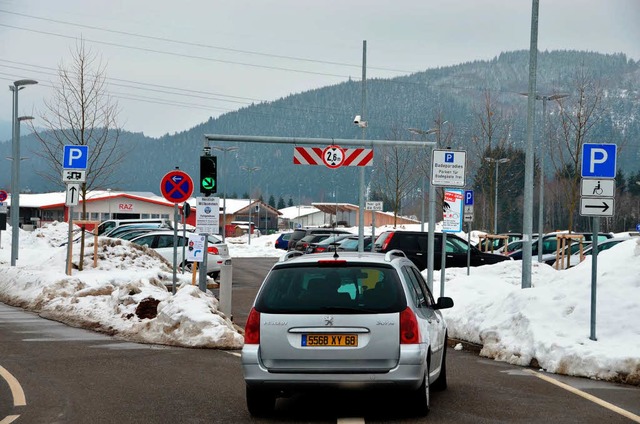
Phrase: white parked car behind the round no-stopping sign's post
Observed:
(162, 242)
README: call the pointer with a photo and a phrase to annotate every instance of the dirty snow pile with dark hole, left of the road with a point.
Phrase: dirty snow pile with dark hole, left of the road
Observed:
(126, 295)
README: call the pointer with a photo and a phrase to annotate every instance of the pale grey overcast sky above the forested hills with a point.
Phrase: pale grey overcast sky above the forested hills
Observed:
(171, 65)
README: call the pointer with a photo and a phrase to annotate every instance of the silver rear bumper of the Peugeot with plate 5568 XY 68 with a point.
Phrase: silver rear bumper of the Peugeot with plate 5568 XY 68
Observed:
(407, 374)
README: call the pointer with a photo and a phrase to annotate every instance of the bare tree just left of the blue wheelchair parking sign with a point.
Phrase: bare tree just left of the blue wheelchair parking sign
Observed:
(578, 116)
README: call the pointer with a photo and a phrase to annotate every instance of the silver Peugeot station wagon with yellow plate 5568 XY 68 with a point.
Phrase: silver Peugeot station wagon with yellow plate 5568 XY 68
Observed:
(360, 321)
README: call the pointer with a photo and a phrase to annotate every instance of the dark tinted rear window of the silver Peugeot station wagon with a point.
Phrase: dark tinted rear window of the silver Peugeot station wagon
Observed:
(354, 288)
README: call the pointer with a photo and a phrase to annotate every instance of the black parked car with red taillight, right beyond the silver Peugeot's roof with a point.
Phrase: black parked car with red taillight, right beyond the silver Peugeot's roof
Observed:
(414, 245)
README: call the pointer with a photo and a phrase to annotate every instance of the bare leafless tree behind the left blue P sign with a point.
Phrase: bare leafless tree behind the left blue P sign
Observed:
(82, 113)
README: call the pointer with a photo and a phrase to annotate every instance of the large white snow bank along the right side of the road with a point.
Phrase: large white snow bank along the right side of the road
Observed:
(549, 325)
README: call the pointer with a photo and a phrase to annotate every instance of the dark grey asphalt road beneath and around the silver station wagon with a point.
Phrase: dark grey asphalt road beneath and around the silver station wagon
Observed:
(69, 375)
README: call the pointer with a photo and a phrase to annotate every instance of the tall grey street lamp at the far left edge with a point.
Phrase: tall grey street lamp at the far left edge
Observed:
(15, 167)
